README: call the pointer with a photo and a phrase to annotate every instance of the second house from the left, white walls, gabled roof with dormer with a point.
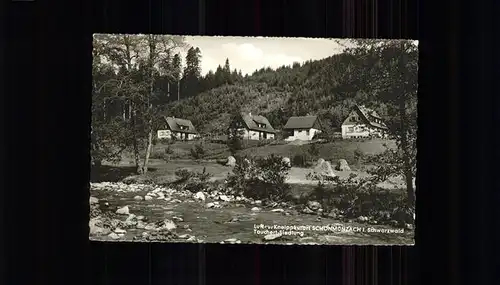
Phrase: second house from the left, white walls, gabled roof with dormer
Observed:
(252, 127)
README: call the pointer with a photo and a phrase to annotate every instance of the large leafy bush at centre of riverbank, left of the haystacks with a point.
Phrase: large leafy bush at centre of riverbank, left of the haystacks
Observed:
(260, 178)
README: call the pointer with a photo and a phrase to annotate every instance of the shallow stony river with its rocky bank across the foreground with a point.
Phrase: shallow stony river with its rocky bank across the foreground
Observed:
(141, 212)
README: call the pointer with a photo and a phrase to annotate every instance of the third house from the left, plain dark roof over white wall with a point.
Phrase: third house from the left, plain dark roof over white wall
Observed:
(302, 128)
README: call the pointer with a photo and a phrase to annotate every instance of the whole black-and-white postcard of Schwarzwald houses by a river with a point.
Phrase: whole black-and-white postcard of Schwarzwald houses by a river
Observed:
(253, 140)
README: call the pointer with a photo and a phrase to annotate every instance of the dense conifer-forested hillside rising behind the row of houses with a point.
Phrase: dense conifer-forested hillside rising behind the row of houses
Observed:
(327, 87)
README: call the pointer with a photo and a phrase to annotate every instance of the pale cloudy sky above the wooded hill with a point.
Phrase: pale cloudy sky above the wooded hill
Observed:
(251, 53)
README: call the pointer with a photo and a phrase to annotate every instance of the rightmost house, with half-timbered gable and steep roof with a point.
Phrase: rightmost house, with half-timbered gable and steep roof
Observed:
(363, 122)
